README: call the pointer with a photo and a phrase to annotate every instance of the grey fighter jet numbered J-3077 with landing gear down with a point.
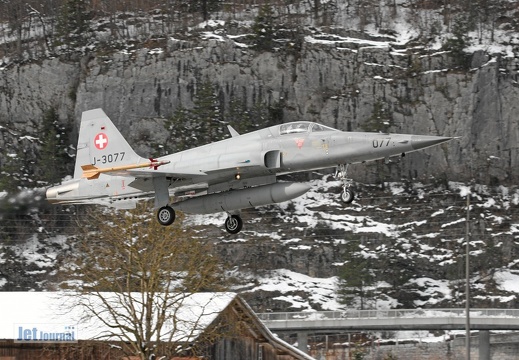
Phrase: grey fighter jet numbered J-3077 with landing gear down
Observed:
(225, 176)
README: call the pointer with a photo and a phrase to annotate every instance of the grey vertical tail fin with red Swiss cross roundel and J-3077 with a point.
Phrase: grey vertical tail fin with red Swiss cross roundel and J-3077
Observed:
(100, 144)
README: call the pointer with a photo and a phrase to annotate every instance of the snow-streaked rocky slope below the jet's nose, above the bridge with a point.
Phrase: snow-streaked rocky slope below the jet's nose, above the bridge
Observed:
(405, 221)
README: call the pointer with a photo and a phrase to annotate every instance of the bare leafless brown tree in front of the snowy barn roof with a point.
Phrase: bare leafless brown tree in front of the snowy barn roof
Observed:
(134, 277)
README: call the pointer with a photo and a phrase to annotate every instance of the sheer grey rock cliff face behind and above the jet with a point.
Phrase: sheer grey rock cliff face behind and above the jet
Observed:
(352, 85)
